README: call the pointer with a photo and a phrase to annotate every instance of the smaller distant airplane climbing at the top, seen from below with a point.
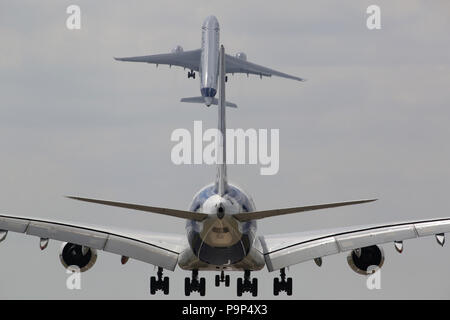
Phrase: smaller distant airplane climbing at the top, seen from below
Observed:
(205, 61)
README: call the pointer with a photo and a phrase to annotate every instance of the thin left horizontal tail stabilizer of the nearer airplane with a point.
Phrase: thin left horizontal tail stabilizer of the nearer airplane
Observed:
(189, 215)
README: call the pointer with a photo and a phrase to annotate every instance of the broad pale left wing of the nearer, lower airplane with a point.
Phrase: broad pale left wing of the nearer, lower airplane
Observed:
(161, 250)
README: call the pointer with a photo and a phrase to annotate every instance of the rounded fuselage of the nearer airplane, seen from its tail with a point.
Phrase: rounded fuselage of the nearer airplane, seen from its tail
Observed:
(221, 241)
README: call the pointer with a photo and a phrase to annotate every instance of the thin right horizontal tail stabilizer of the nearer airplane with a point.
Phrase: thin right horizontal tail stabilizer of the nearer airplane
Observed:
(247, 216)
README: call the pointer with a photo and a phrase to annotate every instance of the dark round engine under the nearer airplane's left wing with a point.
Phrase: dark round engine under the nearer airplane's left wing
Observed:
(82, 257)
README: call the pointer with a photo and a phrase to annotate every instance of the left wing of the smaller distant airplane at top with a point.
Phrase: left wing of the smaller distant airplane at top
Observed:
(186, 59)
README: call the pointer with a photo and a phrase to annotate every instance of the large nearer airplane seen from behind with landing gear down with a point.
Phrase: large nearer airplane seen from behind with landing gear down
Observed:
(221, 235)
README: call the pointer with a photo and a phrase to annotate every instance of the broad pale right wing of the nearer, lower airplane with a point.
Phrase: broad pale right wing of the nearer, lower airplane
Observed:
(284, 250)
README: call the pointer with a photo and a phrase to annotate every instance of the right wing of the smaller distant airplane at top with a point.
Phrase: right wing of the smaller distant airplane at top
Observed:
(236, 65)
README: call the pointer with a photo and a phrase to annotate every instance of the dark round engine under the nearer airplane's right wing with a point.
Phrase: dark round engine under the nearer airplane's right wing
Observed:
(364, 260)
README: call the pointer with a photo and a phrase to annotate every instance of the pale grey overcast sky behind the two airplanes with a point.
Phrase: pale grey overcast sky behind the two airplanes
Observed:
(371, 121)
